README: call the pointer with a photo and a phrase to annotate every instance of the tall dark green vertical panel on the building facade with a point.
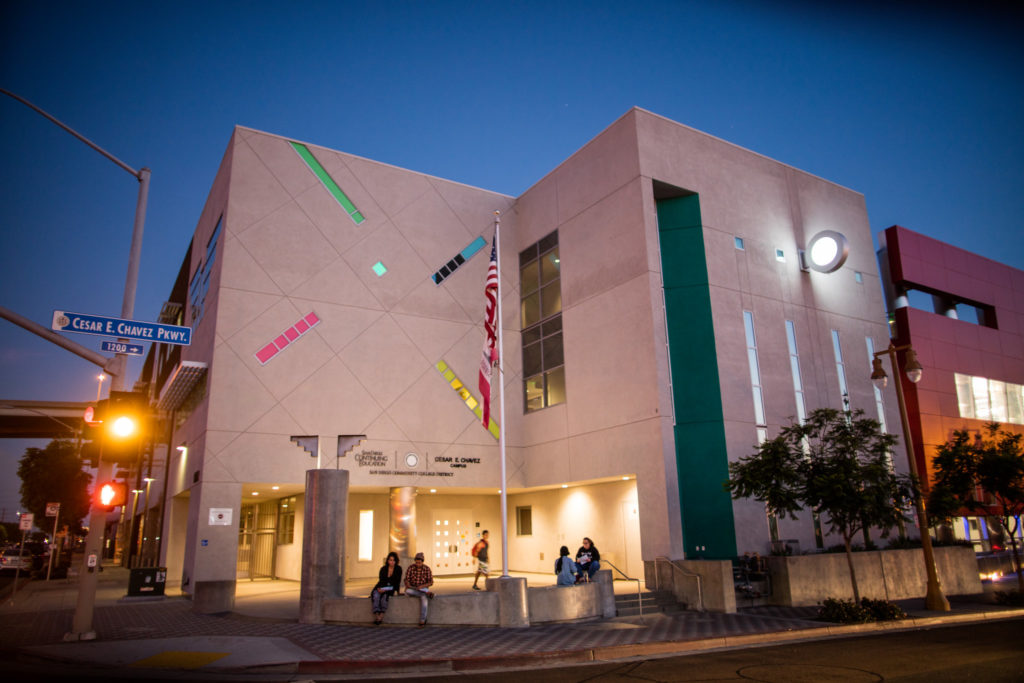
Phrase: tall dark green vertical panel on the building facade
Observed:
(701, 449)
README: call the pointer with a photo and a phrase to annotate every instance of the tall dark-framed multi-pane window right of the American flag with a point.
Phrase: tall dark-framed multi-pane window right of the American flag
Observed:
(541, 318)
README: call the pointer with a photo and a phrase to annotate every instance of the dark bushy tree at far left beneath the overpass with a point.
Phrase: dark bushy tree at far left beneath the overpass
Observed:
(55, 475)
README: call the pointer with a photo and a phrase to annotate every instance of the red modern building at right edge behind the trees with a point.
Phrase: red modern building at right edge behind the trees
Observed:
(964, 316)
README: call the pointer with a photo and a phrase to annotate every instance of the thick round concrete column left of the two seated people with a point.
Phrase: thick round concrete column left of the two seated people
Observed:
(323, 543)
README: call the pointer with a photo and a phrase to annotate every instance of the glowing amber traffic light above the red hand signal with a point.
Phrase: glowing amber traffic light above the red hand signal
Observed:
(118, 429)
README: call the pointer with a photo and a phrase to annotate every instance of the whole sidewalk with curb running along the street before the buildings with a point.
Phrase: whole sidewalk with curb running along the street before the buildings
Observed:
(263, 635)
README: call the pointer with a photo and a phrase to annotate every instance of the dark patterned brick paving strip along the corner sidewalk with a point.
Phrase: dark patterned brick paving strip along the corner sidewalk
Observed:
(45, 619)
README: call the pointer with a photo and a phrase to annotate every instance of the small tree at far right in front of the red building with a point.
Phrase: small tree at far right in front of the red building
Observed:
(983, 474)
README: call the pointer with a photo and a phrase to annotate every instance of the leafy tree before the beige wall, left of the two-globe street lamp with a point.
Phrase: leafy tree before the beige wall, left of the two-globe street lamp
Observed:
(837, 464)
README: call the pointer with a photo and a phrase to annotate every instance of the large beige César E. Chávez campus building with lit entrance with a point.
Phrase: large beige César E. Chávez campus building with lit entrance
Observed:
(660, 318)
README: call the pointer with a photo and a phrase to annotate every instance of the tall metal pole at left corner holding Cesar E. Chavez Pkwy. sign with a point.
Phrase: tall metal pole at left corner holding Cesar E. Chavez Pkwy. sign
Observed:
(82, 622)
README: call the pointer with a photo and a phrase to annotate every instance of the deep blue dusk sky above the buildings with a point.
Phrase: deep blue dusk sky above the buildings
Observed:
(919, 107)
